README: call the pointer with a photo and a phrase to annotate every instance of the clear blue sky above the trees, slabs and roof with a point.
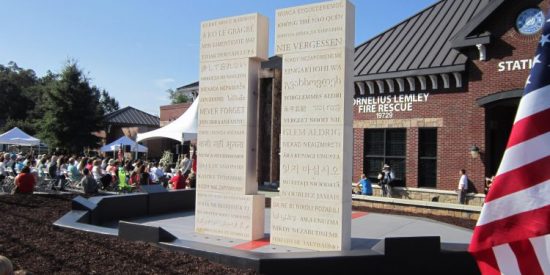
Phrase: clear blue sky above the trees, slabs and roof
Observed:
(137, 49)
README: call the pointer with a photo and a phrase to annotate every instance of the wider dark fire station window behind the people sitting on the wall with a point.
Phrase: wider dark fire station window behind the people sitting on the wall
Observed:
(385, 146)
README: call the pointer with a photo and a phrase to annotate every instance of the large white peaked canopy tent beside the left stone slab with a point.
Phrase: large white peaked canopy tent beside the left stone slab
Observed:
(185, 127)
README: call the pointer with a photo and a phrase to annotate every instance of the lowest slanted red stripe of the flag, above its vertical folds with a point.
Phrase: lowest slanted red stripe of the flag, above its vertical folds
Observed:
(521, 226)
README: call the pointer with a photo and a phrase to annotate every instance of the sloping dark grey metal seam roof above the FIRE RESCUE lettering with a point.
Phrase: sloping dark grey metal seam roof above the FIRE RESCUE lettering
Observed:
(419, 45)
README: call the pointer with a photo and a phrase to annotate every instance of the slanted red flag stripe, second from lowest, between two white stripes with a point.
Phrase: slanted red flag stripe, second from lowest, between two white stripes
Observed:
(519, 179)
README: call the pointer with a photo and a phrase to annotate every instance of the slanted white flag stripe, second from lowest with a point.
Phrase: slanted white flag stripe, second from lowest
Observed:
(525, 153)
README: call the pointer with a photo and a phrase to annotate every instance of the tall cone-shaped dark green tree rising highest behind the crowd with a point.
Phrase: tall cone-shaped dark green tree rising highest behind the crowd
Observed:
(72, 111)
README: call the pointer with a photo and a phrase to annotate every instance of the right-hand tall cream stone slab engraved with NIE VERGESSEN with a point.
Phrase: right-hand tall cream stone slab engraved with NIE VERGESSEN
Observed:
(313, 209)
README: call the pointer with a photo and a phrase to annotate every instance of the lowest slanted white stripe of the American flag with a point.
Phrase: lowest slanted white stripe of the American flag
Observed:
(528, 199)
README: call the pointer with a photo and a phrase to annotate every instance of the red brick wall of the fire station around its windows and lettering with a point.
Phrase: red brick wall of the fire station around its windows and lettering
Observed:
(462, 120)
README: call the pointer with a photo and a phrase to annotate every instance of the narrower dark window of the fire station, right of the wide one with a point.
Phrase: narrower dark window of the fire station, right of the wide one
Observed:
(427, 157)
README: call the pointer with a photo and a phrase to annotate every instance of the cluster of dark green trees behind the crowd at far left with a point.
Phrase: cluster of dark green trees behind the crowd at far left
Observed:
(63, 109)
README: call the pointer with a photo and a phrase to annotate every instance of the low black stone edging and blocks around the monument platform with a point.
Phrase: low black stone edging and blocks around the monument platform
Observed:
(411, 255)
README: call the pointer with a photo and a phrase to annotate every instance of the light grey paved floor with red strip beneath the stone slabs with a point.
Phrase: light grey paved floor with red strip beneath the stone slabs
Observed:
(368, 232)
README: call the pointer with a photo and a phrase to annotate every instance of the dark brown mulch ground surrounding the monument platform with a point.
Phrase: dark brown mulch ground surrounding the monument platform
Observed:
(29, 239)
